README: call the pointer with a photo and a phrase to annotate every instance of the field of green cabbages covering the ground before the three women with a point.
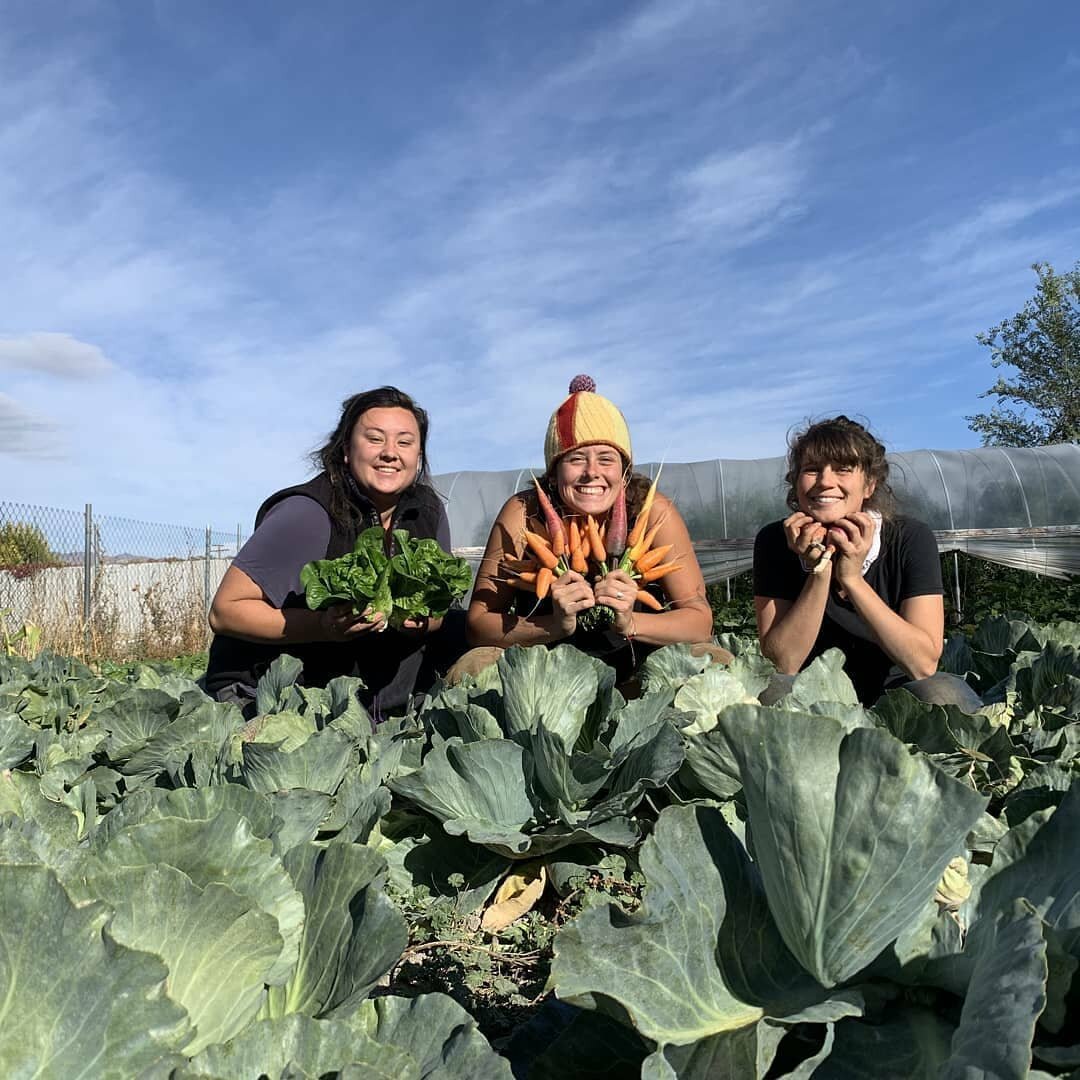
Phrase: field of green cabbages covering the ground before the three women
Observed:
(714, 888)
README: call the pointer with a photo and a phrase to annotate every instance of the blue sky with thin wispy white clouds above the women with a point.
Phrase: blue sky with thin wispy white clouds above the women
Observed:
(219, 221)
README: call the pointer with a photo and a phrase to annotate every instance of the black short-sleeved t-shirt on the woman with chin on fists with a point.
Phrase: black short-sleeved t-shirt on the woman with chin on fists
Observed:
(908, 566)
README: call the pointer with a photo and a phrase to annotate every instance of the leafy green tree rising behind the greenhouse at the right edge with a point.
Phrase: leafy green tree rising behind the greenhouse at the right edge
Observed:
(1043, 344)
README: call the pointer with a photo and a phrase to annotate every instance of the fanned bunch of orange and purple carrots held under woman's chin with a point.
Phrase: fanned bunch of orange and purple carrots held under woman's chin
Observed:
(593, 550)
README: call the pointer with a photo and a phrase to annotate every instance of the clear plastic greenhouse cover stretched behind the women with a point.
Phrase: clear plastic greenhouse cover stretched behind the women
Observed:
(1016, 507)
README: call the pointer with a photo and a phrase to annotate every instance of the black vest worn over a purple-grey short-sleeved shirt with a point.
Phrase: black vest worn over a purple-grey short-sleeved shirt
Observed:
(387, 663)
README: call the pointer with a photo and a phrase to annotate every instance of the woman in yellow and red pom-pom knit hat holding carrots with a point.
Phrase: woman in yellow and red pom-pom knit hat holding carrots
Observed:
(589, 461)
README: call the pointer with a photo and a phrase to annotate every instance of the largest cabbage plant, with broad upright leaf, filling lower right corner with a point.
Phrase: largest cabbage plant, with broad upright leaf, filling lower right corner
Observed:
(835, 919)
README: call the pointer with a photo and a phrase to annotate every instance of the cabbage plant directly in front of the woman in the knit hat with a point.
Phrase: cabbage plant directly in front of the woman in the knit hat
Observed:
(542, 752)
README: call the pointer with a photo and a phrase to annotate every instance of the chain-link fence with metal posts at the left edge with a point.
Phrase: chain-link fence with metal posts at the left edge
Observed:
(100, 587)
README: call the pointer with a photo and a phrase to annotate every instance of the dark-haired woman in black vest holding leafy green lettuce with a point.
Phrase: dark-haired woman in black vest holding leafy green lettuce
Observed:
(374, 474)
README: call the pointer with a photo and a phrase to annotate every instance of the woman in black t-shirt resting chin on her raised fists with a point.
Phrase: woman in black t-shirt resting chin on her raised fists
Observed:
(844, 572)
